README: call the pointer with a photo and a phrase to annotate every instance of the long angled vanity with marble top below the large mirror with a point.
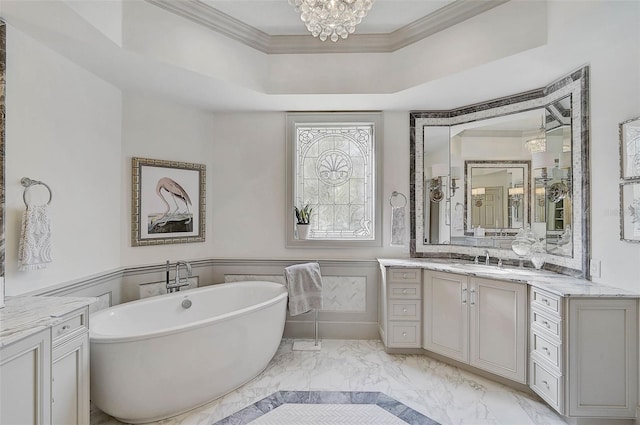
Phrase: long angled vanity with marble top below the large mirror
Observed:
(574, 343)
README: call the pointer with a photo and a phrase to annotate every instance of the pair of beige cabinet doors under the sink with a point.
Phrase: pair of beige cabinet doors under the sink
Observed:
(477, 321)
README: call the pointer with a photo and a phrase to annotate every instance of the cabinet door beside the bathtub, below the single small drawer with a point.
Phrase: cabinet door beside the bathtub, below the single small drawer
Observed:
(70, 382)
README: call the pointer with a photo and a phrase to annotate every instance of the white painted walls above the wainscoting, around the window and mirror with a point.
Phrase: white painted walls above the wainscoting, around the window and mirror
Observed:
(57, 110)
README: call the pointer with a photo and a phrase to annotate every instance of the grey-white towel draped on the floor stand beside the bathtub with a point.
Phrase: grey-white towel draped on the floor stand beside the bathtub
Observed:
(304, 283)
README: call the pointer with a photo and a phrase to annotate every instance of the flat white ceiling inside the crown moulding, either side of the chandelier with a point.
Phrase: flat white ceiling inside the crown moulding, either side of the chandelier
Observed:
(277, 17)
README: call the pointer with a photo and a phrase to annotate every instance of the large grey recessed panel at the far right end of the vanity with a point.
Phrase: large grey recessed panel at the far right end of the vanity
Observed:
(603, 358)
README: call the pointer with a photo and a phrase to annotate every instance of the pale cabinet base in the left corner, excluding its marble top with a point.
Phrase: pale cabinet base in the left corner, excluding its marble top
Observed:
(45, 376)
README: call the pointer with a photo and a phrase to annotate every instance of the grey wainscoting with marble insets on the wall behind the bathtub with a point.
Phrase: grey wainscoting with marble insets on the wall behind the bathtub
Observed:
(350, 291)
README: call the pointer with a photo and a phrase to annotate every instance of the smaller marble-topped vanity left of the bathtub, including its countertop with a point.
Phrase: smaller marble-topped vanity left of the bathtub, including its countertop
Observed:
(44, 360)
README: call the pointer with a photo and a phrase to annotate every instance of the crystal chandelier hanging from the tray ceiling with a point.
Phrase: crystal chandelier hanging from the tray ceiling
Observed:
(332, 18)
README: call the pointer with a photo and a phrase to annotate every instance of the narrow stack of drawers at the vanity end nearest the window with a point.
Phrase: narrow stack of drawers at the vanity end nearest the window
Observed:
(403, 308)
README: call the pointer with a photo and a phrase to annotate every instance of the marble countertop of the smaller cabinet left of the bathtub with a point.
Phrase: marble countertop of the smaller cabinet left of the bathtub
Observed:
(24, 315)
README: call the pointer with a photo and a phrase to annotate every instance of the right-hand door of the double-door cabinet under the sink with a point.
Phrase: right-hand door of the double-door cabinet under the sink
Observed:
(498, 327)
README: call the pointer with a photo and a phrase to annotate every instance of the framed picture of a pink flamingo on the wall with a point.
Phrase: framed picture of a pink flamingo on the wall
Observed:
(168, 202)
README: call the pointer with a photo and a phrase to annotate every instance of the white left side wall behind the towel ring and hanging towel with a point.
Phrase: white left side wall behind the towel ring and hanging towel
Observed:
(63, 127)
